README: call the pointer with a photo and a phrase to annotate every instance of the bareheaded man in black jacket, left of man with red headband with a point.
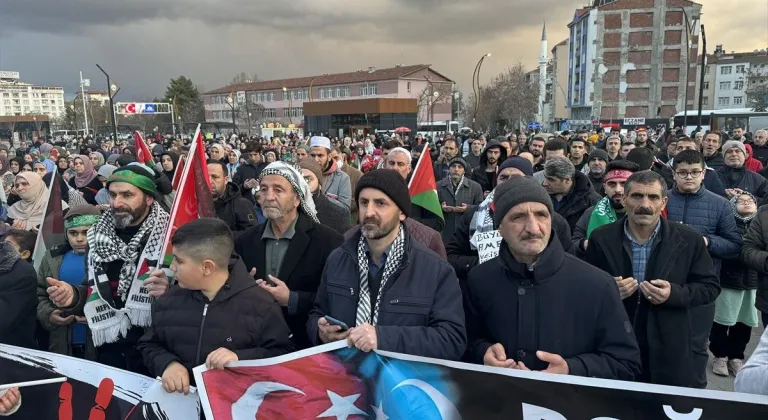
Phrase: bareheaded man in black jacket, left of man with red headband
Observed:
(571, 191)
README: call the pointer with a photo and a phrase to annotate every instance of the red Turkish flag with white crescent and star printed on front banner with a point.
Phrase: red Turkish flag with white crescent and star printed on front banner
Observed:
(318, 386)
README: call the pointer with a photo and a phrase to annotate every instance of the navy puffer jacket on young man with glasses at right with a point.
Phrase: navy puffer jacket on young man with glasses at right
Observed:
(710, 215)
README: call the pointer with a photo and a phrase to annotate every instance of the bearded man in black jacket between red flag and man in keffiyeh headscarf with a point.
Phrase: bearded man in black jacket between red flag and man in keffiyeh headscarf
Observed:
(236, 211)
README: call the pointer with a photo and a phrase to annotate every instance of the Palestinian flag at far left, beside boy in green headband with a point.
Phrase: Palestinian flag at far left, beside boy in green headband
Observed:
(51, 230)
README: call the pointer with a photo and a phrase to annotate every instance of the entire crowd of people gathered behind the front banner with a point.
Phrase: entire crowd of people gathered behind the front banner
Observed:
(621, 256)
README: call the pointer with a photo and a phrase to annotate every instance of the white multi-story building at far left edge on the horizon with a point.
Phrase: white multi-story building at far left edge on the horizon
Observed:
(19, 99)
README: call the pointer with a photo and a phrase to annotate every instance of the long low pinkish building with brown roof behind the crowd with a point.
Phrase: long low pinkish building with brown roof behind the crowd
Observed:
(282, 100)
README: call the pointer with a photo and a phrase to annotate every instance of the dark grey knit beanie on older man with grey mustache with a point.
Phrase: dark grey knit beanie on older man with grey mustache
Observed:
(518, 190)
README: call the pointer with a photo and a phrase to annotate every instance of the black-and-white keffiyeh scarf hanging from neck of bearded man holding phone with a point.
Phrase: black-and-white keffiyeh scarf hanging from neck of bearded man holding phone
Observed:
(394, 260)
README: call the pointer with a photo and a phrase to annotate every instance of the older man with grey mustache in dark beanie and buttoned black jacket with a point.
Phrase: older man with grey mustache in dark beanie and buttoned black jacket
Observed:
(508, 298)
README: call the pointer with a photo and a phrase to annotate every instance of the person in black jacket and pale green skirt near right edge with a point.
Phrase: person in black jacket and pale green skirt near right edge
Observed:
(735, 314)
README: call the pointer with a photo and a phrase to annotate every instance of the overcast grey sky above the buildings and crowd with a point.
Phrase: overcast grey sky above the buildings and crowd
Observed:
(144, 43)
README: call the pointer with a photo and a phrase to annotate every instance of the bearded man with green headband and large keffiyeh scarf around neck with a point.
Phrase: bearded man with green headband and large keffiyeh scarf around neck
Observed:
(127, 238)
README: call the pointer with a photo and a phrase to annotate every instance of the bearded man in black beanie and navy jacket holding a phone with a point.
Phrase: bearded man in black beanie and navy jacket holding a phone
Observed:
(397, 295)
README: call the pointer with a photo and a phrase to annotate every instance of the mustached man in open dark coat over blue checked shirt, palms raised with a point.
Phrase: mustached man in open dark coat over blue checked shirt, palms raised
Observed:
(663, 270)
